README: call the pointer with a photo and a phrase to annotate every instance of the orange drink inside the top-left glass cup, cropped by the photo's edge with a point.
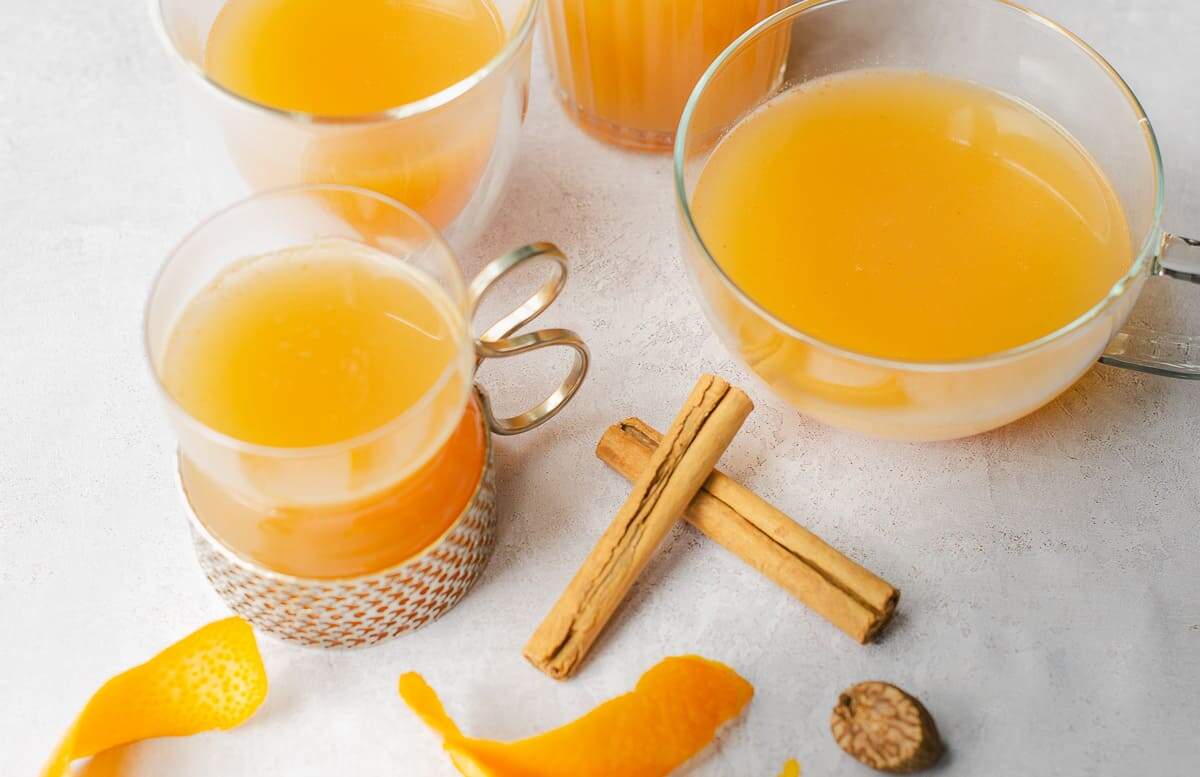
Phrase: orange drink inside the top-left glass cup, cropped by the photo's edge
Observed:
(346, 58)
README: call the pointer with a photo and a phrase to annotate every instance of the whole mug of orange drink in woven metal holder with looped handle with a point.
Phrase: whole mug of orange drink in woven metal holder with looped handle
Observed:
(315, 351)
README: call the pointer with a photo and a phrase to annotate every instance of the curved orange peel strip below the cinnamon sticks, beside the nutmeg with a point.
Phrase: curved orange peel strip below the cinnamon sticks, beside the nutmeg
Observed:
(673, 714)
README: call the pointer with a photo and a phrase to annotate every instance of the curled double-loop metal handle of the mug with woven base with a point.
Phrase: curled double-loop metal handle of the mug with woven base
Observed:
(500, 342)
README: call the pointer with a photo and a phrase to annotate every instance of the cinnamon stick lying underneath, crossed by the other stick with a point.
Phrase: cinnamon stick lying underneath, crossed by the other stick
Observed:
(845, 594)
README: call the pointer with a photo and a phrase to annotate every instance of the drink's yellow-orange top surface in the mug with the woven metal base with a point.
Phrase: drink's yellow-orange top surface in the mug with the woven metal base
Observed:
(311, 346)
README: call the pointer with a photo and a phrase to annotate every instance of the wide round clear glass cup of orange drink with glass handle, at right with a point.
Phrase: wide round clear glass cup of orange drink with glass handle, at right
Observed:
(923, 236)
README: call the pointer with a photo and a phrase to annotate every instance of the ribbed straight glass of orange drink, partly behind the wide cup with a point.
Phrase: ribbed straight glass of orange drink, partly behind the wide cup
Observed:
(625, 69)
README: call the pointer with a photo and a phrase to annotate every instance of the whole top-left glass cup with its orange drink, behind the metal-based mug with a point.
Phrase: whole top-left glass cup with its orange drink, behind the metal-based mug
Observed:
(419, 100)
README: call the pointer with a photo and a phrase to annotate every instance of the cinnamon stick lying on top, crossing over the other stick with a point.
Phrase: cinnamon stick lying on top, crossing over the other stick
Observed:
(674, 471)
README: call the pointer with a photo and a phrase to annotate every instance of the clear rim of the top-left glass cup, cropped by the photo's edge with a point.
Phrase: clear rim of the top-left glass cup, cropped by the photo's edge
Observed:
(405, 111)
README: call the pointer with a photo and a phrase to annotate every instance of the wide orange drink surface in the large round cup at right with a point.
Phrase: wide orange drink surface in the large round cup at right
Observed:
(910, 216)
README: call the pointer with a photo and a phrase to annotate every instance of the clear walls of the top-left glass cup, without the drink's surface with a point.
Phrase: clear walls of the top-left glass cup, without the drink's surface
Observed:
(448, 155)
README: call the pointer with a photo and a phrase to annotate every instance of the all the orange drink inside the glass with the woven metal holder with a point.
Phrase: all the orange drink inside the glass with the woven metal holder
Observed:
(344, 348)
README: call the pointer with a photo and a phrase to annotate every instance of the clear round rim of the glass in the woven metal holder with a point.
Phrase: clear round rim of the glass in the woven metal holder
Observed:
(328, 449)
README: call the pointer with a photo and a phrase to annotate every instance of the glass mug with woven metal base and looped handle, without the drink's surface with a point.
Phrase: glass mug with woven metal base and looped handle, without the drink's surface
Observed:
(397, 522)
